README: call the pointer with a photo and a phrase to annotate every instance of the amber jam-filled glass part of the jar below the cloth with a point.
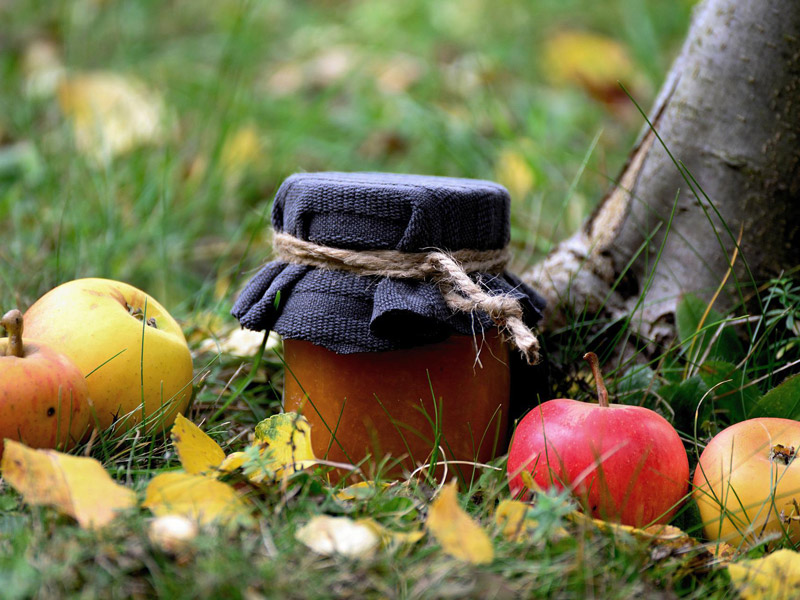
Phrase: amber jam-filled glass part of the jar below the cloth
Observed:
(374, 405)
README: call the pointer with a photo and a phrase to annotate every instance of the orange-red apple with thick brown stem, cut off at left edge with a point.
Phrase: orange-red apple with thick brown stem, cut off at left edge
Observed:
(44, 399)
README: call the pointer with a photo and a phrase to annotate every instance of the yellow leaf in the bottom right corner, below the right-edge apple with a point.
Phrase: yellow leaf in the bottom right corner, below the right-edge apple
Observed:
(774, 577)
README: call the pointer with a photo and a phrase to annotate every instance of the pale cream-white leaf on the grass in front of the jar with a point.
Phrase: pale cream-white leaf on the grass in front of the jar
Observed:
(338, 535)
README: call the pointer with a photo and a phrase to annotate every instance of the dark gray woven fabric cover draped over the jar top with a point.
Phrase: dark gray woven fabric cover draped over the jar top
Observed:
(349, 313)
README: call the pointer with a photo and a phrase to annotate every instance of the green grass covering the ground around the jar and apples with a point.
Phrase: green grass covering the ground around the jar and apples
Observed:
(188, 223)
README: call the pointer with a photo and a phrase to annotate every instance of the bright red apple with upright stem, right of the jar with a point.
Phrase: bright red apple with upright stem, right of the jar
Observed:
(623, 463)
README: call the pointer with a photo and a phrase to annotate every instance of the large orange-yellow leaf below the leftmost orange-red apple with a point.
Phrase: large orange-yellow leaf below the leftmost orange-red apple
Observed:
(76, 486)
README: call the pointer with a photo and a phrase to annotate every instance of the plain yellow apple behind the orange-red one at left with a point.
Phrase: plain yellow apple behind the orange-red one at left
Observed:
(131, 351)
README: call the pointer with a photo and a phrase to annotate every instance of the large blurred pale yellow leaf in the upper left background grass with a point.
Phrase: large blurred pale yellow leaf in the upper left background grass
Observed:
(111, 114)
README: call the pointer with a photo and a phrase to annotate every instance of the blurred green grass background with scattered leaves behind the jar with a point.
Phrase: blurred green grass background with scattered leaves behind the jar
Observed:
(143, 140)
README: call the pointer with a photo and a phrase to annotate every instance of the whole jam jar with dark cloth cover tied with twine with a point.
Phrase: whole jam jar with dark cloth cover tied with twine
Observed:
(378, 357)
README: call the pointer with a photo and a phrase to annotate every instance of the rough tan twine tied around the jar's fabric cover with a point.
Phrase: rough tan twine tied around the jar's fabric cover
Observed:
(449, 270)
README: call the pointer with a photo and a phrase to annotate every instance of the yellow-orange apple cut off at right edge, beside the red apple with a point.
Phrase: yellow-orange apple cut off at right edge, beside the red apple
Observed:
(747, 483)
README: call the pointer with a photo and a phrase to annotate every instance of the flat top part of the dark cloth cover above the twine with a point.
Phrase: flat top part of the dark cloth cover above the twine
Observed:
(410, 213)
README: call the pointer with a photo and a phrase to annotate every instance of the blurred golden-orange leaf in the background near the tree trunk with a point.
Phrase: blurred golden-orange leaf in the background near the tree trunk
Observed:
(592, 61)
